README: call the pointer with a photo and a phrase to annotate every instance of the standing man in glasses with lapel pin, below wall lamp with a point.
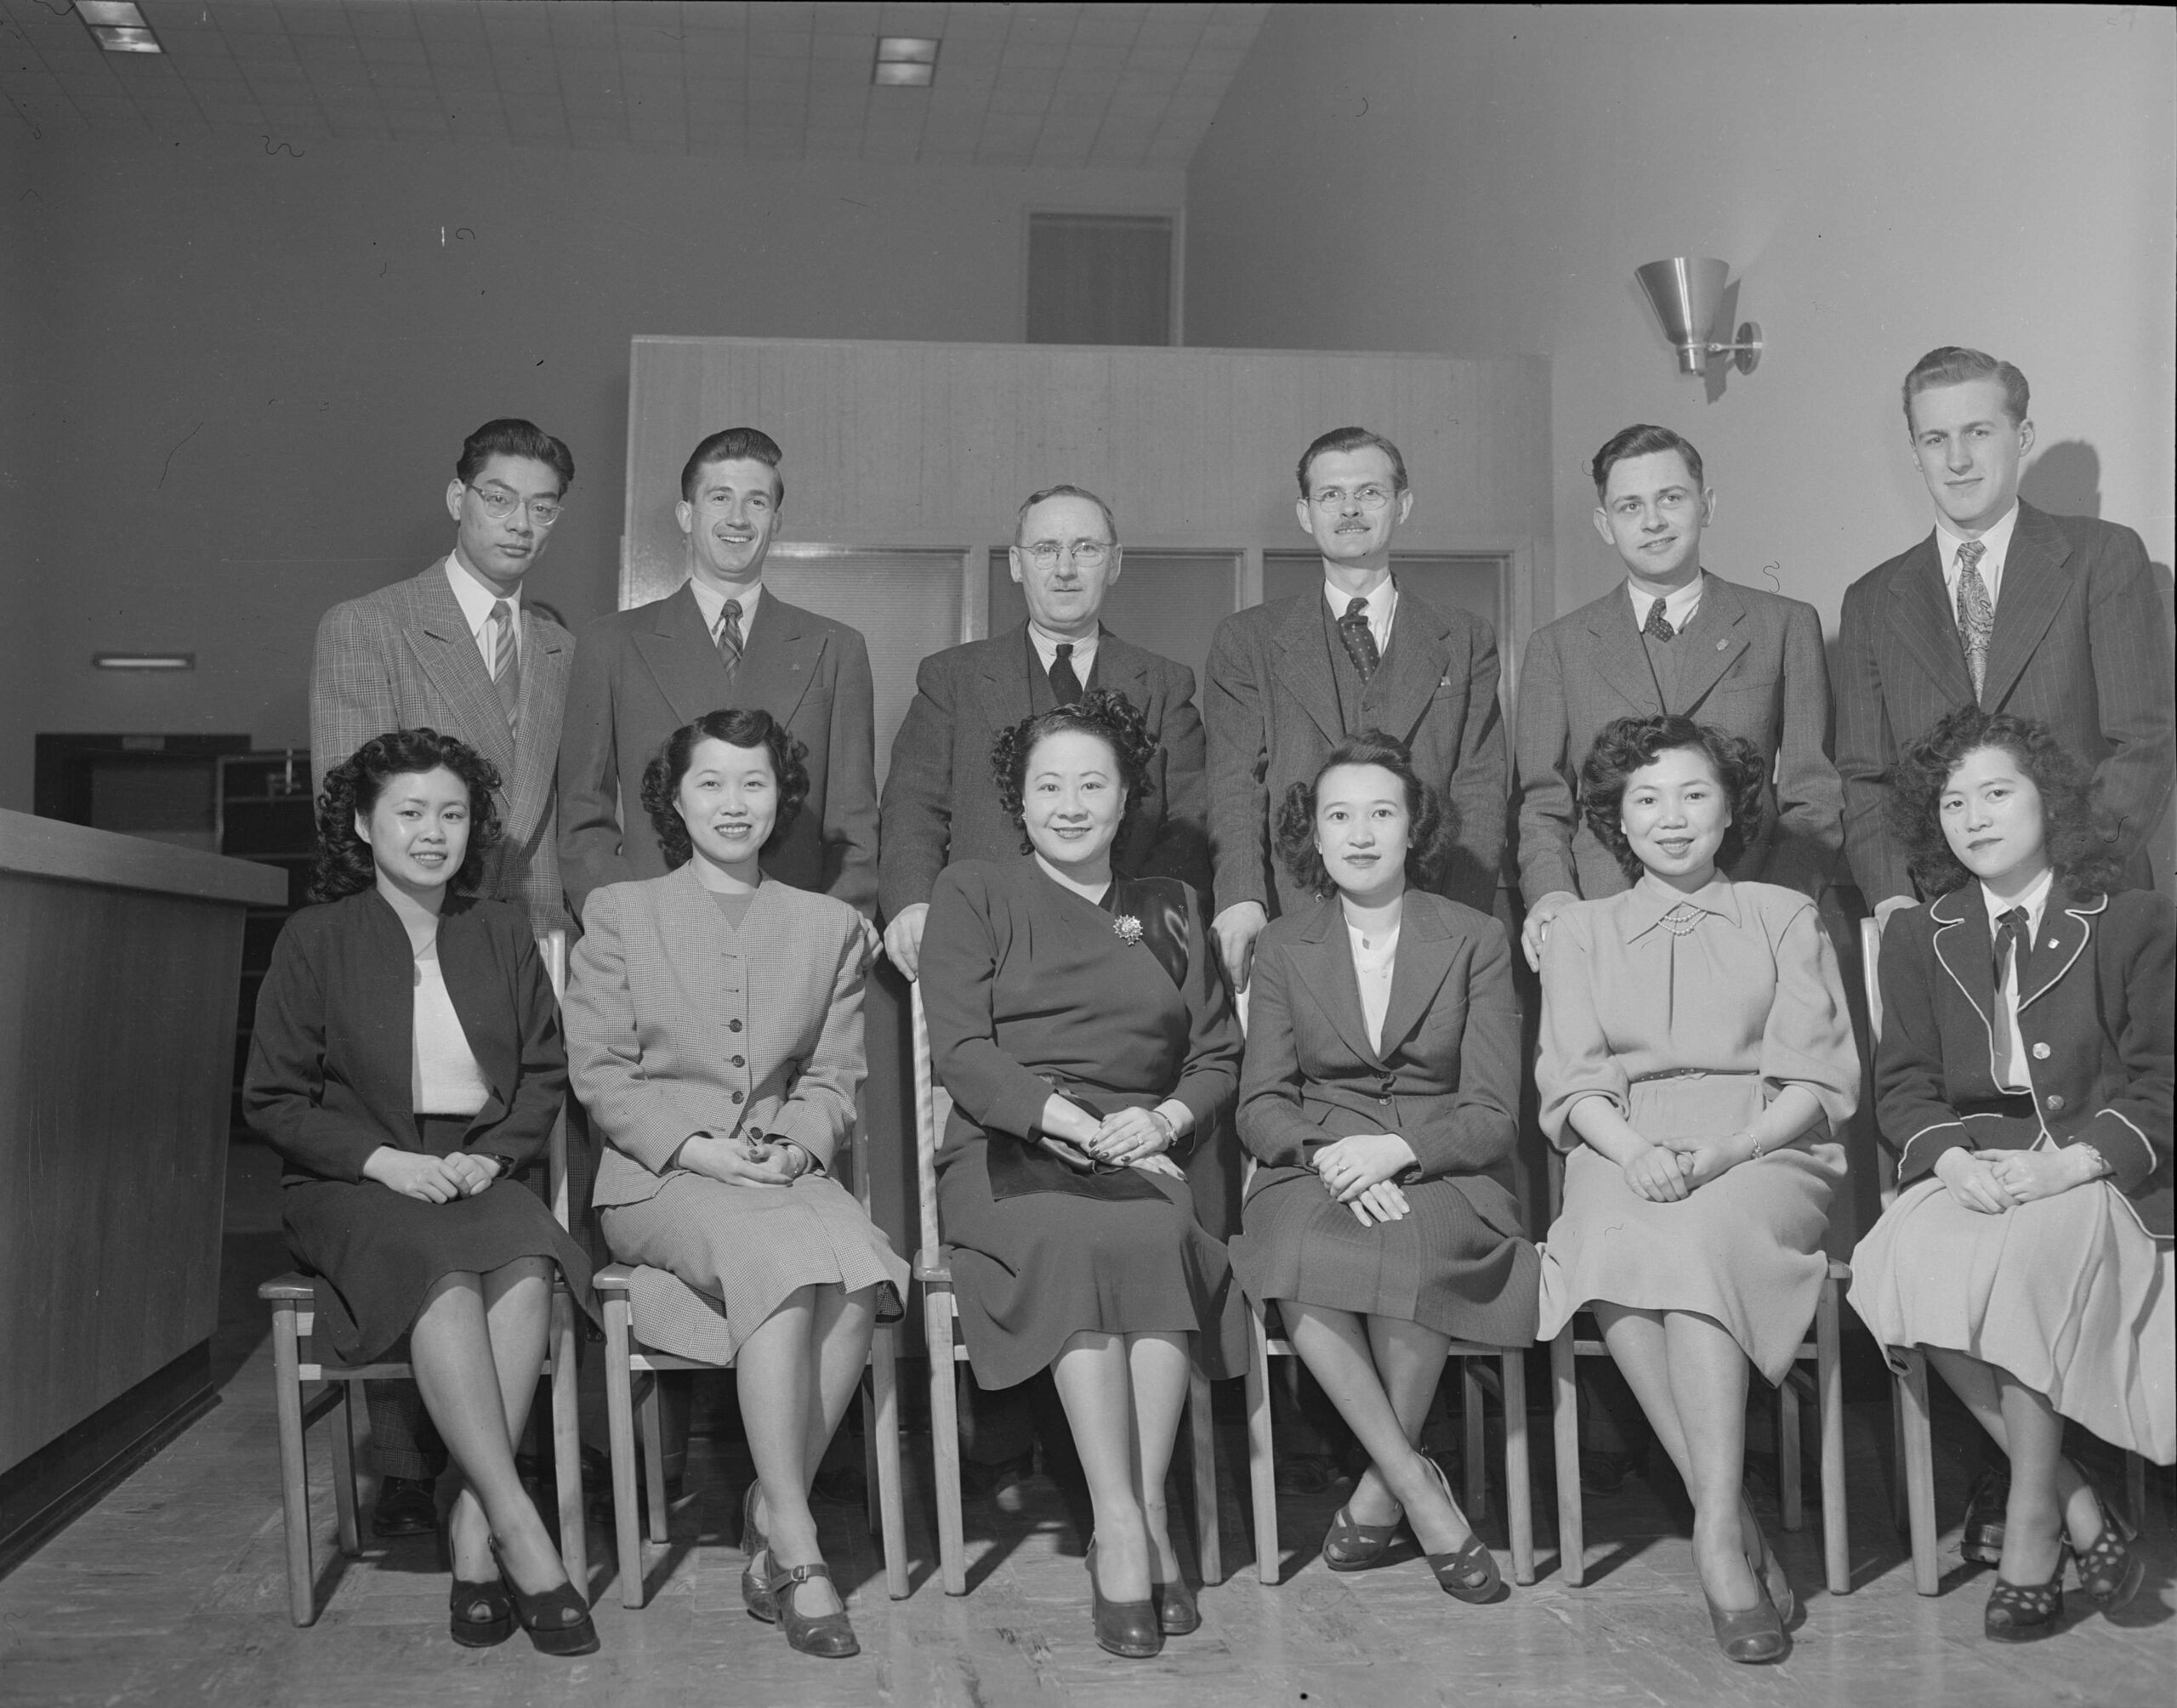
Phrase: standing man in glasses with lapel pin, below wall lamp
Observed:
(1673, 639)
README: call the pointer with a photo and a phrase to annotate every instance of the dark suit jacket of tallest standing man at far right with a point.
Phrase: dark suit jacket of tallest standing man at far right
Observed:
(2082, 643)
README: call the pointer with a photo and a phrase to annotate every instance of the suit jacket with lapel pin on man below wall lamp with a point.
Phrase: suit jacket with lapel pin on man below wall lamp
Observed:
(1754, 667)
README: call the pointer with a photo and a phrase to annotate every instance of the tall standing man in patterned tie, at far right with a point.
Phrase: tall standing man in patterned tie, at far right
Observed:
(2043, 617)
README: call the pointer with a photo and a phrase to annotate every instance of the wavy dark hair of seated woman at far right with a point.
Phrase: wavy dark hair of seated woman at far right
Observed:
(2076, 830)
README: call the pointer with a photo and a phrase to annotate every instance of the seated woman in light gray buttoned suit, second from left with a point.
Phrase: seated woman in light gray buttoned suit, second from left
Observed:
(715, 1035)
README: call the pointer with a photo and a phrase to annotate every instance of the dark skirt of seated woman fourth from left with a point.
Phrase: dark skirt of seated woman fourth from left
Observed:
(1440, 1267)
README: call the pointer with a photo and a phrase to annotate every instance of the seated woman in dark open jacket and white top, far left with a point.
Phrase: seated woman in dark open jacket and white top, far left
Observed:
(408, 1069)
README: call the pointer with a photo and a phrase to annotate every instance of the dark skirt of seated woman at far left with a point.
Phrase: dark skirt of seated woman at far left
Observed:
(378, 1254)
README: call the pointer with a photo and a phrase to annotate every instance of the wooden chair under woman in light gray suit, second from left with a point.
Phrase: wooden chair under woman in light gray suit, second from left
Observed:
(626, 1354)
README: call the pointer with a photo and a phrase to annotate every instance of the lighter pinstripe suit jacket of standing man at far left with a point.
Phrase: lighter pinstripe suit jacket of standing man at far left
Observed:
(404, 658)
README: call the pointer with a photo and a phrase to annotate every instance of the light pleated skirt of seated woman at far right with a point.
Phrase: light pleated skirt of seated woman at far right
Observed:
(2067, 1294)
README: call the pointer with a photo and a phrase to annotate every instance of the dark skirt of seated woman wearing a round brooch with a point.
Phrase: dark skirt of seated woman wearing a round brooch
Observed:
(1037, 1270)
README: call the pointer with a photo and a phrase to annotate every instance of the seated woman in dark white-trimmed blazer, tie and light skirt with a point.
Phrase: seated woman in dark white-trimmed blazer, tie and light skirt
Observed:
(2026, 1085)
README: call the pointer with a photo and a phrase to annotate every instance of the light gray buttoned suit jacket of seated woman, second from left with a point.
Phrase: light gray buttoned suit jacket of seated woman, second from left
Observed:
(676, 1024)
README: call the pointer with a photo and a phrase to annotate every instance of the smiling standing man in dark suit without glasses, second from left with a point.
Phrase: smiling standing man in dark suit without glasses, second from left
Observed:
(724, 641)
